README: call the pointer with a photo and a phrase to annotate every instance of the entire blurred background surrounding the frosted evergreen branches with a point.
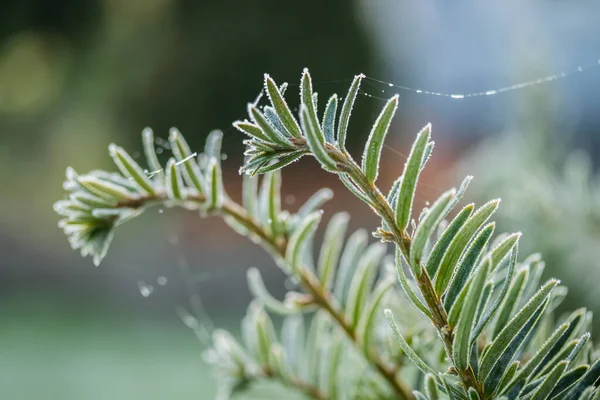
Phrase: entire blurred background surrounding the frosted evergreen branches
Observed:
(77, 75)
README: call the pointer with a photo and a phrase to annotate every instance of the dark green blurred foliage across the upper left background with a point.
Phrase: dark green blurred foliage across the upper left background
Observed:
(161, 63)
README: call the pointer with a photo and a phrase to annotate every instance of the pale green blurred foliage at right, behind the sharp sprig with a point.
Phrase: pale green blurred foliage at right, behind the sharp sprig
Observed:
(549, 192)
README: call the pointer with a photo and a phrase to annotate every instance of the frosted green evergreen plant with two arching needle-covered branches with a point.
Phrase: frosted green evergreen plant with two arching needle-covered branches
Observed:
(491, 331)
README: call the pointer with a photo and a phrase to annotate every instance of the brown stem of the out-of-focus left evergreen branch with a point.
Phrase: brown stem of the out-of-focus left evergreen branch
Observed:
(277, 247)
